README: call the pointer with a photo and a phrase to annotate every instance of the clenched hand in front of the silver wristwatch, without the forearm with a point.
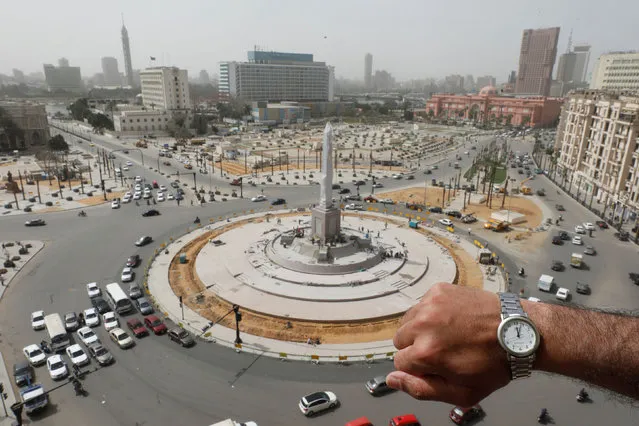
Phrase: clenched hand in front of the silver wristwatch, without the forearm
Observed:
(448, 347)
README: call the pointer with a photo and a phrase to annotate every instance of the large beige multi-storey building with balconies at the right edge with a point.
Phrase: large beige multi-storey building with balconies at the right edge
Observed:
(598, 143)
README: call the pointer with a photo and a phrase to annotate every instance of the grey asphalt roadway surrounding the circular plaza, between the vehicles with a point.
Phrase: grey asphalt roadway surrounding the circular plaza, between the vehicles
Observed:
(159, 383)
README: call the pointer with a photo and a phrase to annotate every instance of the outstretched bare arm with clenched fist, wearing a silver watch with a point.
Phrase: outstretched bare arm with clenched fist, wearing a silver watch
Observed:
(449, 349)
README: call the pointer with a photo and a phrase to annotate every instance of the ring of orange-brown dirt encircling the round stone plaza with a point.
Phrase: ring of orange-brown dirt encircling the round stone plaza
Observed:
(184, 281)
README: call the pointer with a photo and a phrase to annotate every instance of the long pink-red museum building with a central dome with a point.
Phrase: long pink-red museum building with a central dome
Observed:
(487, 106)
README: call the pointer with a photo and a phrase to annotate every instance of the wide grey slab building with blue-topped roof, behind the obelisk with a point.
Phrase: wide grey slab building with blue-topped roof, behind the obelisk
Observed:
(275, 76)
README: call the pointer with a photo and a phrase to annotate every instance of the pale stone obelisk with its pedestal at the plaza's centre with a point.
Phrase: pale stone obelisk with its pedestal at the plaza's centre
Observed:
(326, 217)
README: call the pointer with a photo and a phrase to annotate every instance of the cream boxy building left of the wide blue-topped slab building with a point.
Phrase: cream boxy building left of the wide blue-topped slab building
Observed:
(165, 88)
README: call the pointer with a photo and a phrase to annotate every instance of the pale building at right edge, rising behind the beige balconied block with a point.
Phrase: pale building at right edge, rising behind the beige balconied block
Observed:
(616, 71)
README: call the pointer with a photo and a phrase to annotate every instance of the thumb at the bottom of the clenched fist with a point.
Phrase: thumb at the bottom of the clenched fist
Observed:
(428, 388)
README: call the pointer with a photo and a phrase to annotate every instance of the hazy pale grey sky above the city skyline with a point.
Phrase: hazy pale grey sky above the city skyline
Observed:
(410, 39)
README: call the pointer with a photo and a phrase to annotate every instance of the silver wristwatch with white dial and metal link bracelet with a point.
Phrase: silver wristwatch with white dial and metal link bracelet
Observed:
(517, 335)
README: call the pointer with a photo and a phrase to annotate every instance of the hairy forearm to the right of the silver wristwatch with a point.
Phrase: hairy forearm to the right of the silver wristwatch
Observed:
(598, 347)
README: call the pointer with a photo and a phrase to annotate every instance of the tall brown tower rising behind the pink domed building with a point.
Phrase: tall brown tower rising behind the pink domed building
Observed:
(536, 61)
